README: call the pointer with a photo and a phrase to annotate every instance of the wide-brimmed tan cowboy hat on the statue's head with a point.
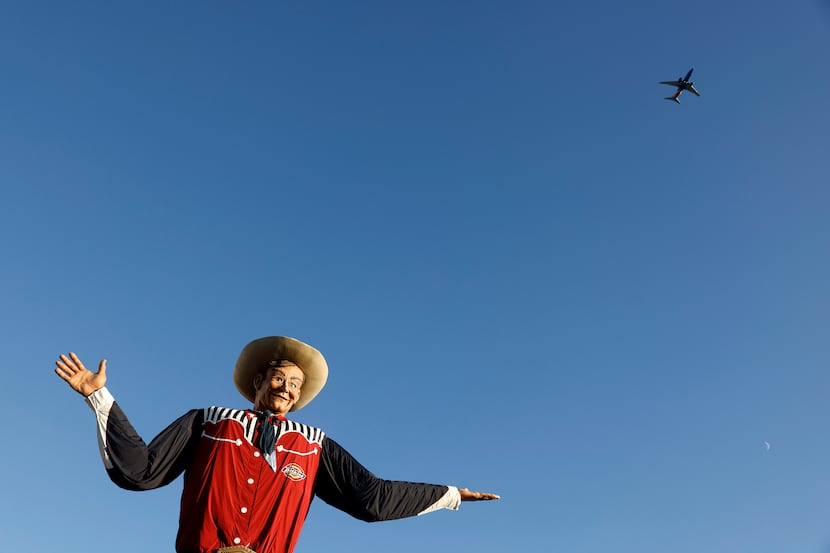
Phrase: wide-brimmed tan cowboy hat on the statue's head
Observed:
(256, 356)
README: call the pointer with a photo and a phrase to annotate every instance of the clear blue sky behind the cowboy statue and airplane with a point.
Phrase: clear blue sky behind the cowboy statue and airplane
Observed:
(529, 273)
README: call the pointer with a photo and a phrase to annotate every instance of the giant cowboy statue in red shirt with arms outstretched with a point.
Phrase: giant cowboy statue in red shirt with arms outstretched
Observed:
(250, 474)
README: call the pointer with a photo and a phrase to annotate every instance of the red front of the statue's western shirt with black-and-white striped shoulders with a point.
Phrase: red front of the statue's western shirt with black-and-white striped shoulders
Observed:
(231, 494)
